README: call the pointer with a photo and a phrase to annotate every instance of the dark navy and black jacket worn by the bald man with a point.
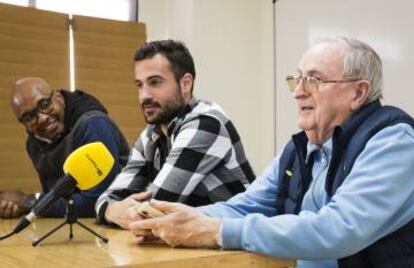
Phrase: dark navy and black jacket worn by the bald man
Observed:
(85, 121)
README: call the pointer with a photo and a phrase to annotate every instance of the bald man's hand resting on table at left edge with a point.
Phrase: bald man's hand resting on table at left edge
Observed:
(11, 203)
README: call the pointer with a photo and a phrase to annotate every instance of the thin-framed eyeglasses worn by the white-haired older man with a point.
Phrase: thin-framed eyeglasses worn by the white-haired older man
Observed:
(311, 84)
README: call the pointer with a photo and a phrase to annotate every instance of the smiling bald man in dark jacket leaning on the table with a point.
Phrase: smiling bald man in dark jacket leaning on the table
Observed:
(57, 122)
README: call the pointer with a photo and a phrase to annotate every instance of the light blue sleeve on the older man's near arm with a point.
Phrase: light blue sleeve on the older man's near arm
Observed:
(375, 199)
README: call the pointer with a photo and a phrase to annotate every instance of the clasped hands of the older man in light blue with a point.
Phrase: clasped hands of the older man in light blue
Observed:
(183, 226)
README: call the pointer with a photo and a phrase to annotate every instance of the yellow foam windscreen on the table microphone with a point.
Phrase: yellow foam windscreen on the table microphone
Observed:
(89, 164)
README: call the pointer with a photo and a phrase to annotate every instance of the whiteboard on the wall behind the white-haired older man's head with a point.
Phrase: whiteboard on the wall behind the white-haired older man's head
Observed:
(386, 25)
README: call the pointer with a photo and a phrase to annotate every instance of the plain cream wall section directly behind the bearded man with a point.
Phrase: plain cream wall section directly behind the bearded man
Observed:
(231, 42)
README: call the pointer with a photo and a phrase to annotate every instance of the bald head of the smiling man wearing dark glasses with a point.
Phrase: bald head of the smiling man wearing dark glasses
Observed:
(28, 99)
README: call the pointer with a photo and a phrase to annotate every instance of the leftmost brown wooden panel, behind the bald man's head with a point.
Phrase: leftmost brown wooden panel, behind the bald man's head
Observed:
(32, 43)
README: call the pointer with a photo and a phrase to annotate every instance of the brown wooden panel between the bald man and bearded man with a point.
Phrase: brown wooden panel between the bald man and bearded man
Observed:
(104, 52)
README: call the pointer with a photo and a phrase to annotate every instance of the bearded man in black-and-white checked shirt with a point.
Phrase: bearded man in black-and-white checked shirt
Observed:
(190, 151)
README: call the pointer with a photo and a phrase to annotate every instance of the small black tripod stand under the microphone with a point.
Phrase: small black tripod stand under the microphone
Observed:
(71, 218)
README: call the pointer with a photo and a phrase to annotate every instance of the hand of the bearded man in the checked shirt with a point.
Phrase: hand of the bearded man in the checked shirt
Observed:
(123, 212)
